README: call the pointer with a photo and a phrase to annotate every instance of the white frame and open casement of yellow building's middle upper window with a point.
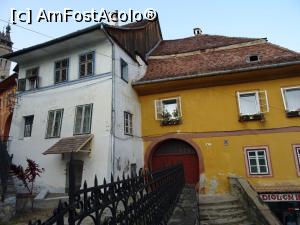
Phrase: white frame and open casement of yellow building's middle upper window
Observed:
(258, 101)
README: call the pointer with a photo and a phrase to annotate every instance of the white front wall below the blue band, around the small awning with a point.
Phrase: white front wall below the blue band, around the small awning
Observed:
(95, 91)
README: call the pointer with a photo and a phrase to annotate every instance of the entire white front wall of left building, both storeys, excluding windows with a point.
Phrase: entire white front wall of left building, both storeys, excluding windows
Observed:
(93, 89)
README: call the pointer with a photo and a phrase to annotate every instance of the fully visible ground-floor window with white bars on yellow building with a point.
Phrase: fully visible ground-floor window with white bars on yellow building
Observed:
(257, 161)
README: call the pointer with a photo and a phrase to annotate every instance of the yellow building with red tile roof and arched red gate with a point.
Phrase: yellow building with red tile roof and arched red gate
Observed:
(223, 106)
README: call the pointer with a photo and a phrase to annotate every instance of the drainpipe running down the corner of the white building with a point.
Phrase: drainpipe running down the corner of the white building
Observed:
(113, 111)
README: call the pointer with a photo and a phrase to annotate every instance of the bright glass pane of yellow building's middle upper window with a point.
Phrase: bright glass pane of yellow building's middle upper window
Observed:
(249, 104)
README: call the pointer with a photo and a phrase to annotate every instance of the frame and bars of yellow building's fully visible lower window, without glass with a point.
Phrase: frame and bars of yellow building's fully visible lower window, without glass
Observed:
(266, 158)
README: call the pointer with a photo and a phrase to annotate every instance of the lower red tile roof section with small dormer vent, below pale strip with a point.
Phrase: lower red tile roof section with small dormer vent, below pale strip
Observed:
(214, 60)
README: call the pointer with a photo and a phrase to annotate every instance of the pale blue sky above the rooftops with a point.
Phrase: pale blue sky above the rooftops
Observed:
(277, 20)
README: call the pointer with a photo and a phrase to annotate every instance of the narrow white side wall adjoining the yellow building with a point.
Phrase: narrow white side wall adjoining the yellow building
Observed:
(128, 149)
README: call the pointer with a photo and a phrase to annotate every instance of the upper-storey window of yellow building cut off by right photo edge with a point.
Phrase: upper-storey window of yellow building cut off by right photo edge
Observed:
(291, 99)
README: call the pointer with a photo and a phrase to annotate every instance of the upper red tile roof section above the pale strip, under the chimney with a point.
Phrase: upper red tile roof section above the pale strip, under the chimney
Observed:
(198, 42)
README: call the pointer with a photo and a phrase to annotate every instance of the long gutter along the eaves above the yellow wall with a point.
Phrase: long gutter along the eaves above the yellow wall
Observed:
(222, 72)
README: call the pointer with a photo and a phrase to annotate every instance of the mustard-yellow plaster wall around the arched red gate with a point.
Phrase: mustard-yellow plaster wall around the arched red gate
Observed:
(215, 109)
